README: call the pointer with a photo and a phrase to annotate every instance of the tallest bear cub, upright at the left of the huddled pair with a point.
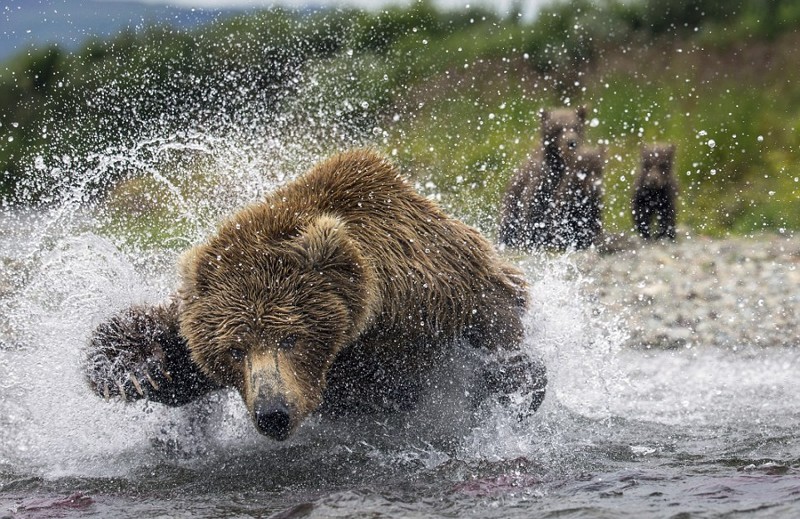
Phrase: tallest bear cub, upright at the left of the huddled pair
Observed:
(528, 217)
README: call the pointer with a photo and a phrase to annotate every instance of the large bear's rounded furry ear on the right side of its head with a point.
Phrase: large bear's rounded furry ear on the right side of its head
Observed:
(328, 250)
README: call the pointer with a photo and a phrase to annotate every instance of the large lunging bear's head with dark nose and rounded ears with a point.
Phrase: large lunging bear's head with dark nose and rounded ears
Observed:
(267, 310)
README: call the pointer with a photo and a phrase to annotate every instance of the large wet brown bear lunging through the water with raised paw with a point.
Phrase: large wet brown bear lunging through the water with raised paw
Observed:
(344, 290)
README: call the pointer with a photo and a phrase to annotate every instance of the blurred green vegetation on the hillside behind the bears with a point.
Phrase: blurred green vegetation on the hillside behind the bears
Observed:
(453, 96)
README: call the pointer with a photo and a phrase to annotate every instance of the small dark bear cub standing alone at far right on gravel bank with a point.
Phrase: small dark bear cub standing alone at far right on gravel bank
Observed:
(655, 193)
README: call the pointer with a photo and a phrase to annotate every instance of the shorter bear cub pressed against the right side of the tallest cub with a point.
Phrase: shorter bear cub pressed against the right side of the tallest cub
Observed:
(578, 202)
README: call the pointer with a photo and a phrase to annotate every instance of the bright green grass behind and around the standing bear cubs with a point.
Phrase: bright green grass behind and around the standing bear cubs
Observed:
(735, 132)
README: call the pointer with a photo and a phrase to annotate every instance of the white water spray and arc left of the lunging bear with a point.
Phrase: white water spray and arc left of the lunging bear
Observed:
(85, 260)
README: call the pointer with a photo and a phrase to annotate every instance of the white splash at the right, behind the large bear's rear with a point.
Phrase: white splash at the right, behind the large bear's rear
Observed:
(580, 345)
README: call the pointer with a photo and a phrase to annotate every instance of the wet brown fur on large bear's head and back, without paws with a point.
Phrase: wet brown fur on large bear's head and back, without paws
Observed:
(343, 257)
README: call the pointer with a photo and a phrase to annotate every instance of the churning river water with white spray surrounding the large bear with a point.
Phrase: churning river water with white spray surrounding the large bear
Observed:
(692, 433)
